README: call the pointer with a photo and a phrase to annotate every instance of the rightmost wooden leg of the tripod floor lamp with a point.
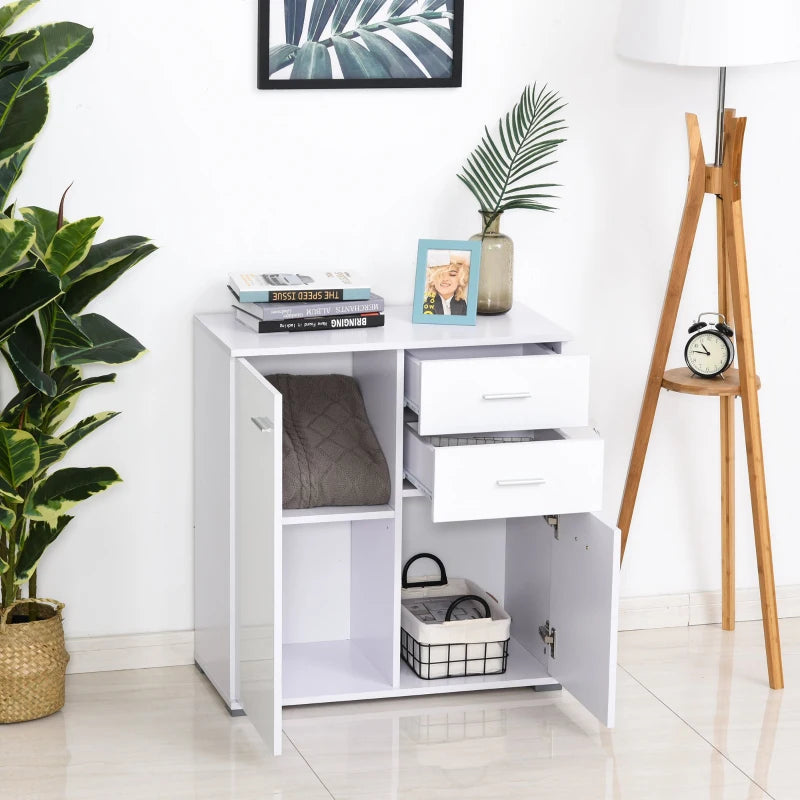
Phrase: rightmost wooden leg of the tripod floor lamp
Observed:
(734, 234)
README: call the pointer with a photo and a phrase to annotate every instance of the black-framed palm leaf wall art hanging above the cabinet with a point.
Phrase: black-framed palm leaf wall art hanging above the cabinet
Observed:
(346, 44)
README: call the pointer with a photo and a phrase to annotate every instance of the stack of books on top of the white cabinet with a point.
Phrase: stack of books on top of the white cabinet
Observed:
(275, 302)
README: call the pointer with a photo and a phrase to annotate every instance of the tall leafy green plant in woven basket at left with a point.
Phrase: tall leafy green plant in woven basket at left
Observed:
(50, 269)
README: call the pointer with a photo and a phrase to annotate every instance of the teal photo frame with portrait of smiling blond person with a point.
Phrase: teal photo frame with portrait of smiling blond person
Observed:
(446, 288)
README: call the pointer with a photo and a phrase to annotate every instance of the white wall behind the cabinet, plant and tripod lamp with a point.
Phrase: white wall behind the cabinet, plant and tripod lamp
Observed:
(163, 132)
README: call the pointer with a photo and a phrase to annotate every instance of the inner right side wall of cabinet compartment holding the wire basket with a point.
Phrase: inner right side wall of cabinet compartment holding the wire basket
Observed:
(529, 542)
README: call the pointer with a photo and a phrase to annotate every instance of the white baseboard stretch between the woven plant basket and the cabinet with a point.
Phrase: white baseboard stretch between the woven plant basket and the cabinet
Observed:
(136, 651)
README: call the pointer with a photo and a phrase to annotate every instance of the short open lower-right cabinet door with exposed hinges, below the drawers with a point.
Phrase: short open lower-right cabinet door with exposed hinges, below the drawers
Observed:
(584, 605)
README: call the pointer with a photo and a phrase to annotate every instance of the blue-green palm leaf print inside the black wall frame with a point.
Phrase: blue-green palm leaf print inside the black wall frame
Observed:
(366, 39)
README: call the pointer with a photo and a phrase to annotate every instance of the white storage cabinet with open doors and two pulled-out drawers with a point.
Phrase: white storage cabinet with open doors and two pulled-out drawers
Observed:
(303, 606)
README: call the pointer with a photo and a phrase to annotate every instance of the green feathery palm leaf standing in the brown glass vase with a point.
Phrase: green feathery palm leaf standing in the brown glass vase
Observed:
(498, 171)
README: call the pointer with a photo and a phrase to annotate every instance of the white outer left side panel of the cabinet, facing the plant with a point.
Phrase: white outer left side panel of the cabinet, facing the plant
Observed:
(213, 579)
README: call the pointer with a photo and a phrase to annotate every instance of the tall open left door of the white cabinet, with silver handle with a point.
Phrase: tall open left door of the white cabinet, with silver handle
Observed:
(259, 424)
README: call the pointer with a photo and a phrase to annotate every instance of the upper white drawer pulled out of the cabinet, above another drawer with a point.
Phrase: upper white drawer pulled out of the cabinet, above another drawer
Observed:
(480, 391)
